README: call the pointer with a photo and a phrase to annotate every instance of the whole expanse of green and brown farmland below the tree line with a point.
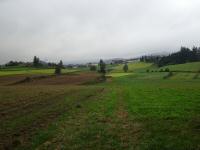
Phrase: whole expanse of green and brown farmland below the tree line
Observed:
(134, 110)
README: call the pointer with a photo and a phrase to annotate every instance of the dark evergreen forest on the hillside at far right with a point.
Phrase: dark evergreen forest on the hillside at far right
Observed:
(184, 55)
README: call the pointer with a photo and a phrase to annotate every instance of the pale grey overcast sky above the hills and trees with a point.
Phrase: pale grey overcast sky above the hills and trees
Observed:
(87, 30)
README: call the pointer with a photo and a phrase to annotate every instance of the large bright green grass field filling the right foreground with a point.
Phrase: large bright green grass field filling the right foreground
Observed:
(127, 117)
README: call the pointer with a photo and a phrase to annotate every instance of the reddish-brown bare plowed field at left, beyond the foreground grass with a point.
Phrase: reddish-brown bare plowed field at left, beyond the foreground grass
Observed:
(74, 79)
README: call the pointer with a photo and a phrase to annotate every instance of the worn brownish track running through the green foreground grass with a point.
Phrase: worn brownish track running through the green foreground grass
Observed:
(129, 130)
